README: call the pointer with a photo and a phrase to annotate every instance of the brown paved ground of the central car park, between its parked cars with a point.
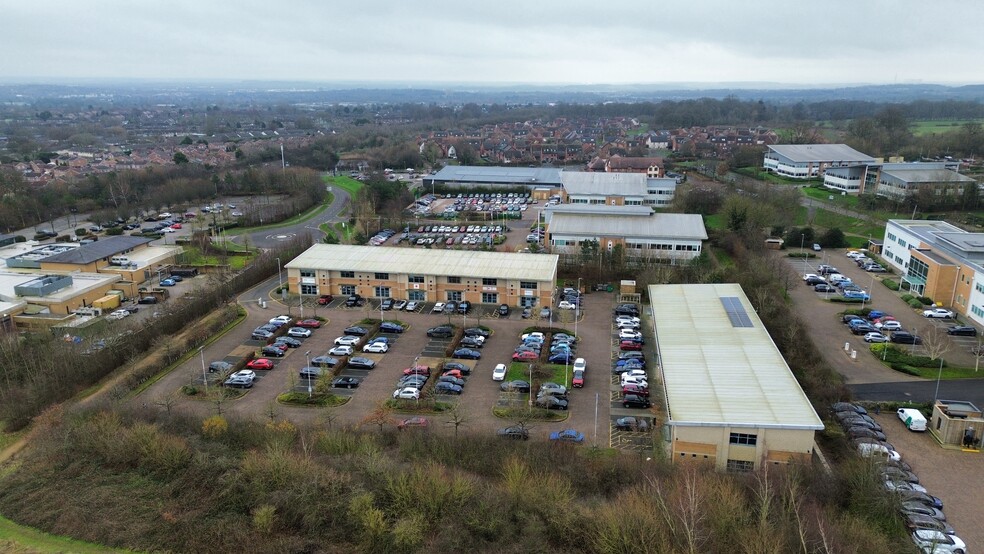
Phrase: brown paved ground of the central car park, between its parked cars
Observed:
(597, 343)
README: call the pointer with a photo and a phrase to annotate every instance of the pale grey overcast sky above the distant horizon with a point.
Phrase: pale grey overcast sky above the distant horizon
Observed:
(496, 42)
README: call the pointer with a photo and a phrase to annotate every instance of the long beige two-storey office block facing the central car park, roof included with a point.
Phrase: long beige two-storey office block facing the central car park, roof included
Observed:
(424, 275)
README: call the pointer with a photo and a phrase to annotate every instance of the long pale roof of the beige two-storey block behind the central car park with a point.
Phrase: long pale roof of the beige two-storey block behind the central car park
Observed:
(423, 261)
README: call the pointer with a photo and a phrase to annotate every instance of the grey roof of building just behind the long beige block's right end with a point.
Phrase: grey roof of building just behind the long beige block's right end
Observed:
(657, 225)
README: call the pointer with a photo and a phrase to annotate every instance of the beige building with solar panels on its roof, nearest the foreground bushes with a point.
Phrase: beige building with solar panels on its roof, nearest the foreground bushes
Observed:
(731, 400)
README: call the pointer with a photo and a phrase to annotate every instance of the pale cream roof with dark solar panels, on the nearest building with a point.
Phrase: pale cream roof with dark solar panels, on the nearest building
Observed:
(719, 373)
